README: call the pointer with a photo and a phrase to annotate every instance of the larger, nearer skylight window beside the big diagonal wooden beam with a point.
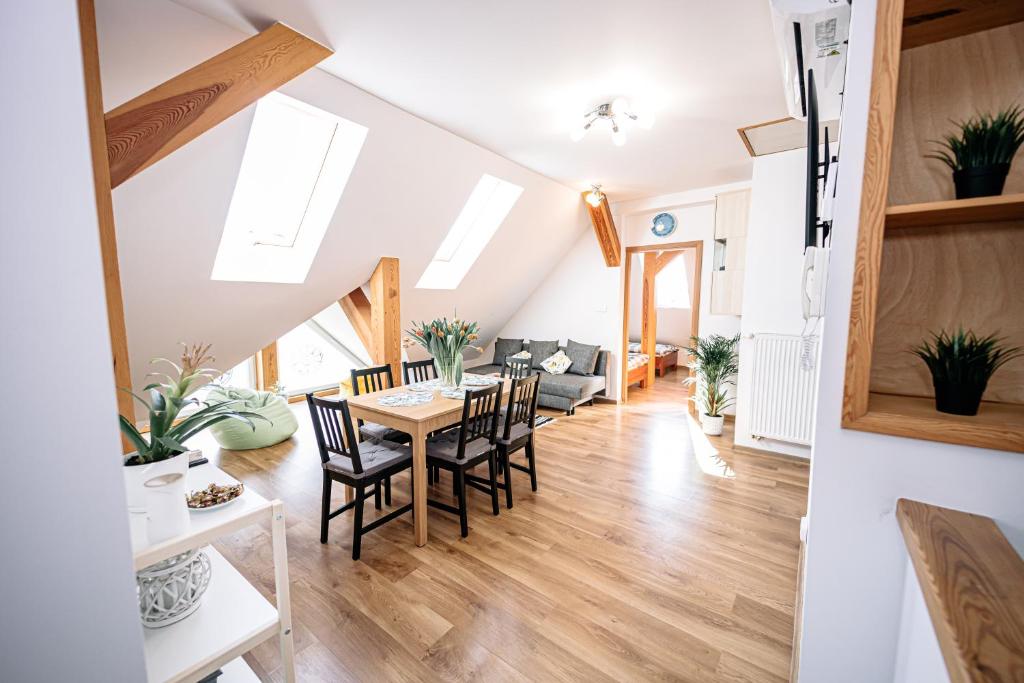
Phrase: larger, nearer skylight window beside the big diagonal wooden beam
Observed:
(296, 164)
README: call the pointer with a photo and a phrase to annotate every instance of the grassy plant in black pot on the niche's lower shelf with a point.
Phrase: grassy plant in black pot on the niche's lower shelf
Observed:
(962, 365)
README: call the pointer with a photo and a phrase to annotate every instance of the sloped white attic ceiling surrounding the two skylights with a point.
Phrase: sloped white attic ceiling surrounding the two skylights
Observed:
(408, 187)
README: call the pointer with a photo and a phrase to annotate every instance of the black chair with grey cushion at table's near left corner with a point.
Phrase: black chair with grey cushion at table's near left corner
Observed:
(345, 461)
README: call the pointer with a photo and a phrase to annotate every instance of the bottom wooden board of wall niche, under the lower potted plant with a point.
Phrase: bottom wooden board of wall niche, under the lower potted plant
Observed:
(999, 426)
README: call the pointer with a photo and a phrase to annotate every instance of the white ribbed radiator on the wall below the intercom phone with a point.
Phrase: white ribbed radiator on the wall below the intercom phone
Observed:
(783, 395)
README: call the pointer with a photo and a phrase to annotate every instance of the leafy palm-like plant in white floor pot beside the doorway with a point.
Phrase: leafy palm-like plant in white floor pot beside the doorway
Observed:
(716, 363)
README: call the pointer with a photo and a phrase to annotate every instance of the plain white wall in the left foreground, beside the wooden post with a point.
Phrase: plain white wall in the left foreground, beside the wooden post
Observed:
(70, 612)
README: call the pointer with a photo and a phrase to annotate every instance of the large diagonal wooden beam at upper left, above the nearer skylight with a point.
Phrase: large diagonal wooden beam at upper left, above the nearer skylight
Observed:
(148, 129)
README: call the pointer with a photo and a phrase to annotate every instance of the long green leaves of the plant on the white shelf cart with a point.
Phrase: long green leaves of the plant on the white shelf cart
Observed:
(167, 399)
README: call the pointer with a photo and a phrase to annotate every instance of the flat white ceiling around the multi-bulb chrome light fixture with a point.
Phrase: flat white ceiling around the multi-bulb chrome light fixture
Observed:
(516, 77)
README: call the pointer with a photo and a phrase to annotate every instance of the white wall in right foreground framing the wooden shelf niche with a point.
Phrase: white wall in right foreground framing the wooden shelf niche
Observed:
(856, 553)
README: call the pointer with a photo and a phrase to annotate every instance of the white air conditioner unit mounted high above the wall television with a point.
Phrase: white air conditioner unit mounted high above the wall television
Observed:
(813, 34)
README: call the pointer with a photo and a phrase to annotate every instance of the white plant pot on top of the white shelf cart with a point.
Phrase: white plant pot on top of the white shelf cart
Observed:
(164, 506)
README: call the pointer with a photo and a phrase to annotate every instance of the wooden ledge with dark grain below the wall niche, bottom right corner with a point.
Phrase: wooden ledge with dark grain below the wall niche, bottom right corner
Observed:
(973, 583)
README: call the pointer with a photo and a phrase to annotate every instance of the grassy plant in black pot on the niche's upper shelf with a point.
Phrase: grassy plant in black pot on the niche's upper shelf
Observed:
(982, 154)
